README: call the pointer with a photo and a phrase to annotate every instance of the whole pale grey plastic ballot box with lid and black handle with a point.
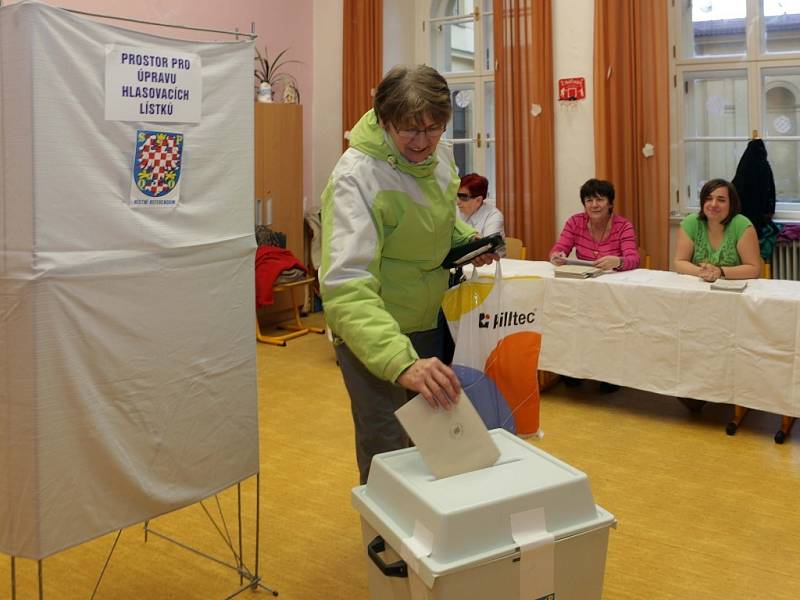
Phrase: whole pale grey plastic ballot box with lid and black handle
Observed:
(525, 528)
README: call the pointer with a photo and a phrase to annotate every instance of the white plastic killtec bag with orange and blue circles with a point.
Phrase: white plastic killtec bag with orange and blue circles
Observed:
(495, 325)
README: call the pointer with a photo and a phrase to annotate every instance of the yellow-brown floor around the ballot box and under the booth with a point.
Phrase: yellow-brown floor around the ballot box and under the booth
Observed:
(701, 515)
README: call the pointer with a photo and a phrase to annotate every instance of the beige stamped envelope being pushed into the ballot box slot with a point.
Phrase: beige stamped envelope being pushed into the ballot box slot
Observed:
(450, 441)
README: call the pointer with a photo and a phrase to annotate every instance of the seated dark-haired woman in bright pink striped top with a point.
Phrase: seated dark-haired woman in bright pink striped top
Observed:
(597, 234)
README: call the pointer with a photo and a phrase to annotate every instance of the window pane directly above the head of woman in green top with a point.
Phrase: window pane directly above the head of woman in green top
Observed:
(707, 160)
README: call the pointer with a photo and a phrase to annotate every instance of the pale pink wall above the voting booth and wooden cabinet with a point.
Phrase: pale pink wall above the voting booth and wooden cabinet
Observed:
(278, 23)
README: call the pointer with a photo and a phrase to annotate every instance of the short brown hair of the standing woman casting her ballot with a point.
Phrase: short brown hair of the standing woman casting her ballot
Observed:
(408, 93)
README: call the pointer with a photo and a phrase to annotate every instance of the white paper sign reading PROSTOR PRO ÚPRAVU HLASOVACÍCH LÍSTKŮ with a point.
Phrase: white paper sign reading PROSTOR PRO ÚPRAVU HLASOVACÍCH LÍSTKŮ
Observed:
(152, 84)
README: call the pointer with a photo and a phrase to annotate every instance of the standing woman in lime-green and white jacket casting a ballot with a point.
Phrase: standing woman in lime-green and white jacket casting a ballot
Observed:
(388, 220)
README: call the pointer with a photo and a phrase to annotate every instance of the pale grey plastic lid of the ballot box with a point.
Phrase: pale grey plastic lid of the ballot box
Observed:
(467, 518)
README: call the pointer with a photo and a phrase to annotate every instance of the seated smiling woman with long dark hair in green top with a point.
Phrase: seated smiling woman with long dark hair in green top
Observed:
(718, 242)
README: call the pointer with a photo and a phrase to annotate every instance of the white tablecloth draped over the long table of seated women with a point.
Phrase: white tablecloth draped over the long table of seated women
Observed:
(670, 334)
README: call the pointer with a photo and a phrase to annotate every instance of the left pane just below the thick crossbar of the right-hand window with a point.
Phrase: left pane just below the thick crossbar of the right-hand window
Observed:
(716, 104)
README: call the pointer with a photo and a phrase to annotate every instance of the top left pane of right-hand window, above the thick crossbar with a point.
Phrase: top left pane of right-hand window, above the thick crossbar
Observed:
(714, 27)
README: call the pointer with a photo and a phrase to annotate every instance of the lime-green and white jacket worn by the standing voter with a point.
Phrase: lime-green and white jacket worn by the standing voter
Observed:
(387, 224)
